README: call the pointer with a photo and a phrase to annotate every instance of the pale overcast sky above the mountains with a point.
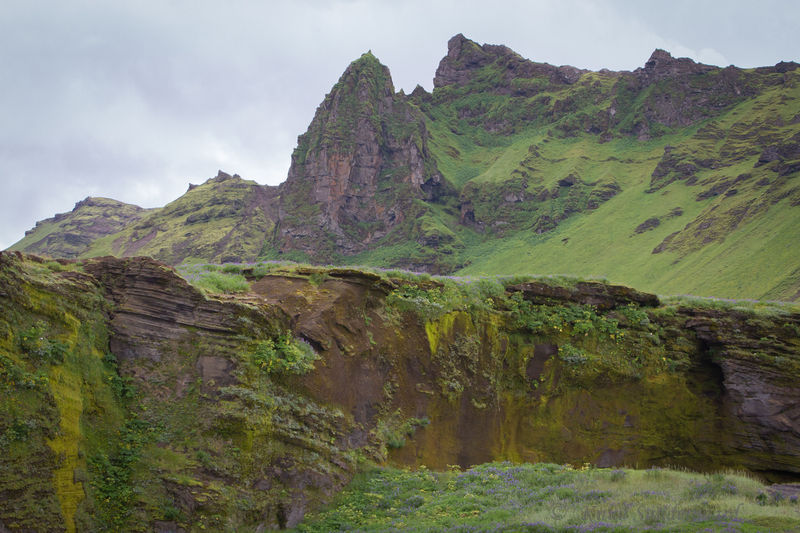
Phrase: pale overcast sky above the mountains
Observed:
(134, 100)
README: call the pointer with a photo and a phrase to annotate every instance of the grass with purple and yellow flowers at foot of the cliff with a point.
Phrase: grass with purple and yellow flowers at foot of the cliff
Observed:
(547, 497)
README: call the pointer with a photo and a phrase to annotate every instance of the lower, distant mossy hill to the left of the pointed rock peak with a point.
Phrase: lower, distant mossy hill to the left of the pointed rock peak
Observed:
(224, 219)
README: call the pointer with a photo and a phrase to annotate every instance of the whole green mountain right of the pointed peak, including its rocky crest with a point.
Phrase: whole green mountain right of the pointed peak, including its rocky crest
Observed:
(686, 191)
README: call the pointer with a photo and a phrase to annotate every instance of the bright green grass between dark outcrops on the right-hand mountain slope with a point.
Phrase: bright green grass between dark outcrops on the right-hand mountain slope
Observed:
(750, 256)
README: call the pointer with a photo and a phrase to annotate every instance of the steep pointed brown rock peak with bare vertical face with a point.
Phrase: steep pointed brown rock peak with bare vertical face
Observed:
(358, 170)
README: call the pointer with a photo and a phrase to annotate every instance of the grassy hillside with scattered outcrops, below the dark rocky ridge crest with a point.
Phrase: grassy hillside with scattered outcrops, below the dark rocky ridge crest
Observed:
(694, 209)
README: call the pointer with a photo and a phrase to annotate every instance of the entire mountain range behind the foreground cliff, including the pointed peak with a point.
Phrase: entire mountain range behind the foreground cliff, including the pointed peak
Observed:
(677, 177)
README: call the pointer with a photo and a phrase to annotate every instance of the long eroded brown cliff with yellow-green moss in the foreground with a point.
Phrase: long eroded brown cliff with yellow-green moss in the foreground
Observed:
(131, 400)
